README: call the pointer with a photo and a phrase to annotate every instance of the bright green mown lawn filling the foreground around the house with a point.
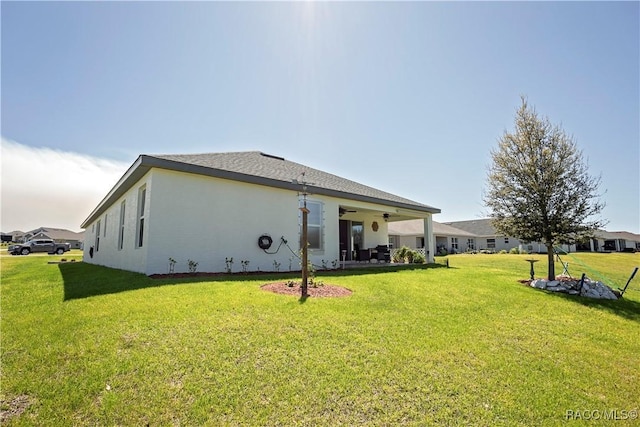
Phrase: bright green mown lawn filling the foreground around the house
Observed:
(468, 345)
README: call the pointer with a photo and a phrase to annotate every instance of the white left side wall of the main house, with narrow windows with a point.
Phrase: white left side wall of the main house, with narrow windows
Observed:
(130, 257)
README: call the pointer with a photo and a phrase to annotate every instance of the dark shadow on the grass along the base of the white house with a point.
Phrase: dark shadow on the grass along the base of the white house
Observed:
(82, 280)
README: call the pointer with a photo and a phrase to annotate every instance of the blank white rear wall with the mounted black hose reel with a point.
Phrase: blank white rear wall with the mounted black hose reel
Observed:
(207, 219)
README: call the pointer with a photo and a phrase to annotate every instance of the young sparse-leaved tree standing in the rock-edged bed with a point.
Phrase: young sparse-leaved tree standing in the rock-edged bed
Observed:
(539, 187)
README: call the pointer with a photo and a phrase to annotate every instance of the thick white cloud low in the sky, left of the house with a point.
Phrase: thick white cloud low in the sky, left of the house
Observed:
(45, 187)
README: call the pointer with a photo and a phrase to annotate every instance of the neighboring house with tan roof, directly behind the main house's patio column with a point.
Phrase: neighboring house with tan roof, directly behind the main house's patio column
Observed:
(411, 234)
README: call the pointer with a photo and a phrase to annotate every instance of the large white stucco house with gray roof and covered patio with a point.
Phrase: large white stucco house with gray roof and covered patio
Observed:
(208, 208)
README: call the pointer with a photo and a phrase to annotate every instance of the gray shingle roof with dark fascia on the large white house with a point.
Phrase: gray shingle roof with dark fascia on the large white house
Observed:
(256, 168)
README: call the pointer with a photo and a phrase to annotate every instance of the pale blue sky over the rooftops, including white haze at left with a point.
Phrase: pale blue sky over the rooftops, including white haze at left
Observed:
(407, 97)
